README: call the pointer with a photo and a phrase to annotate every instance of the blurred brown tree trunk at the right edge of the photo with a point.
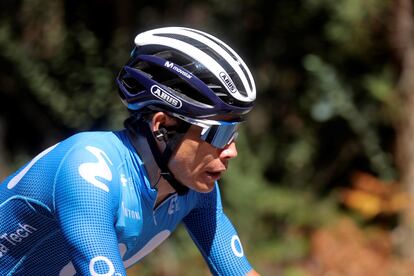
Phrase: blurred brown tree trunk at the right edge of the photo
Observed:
(402, 38)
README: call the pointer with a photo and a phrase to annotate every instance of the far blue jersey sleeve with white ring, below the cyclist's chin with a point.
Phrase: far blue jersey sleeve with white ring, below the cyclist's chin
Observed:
(216, 237)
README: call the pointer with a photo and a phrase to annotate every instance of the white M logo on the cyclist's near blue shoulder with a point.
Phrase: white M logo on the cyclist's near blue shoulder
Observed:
(91, 172)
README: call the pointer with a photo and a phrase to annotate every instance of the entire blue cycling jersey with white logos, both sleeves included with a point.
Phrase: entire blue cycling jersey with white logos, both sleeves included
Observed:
(85, 206)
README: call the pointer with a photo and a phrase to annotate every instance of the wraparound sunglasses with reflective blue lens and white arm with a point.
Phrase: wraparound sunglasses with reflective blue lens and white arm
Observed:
(219, 134)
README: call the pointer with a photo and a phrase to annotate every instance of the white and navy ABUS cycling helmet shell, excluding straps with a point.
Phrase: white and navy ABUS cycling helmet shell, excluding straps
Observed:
(187, 72)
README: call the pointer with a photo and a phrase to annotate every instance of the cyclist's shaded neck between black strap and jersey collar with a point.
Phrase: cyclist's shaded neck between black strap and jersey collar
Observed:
(156, 181)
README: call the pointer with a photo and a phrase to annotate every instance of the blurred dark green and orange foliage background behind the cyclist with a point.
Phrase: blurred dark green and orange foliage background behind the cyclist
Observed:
(323, 179)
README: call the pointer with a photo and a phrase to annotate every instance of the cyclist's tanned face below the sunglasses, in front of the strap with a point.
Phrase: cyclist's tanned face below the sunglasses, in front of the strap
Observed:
(197, 164)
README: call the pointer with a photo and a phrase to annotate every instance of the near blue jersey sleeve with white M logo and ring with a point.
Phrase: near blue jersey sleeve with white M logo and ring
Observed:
(84, 206)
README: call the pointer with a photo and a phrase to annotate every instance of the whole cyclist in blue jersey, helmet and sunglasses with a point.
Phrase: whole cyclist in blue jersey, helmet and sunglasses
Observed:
(98, 202)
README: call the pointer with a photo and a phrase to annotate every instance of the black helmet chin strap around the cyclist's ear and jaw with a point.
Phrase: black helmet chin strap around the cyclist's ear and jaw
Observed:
(172, 140)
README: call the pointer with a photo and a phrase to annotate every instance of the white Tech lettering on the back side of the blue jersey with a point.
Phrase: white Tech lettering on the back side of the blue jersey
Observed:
(9, 240)
